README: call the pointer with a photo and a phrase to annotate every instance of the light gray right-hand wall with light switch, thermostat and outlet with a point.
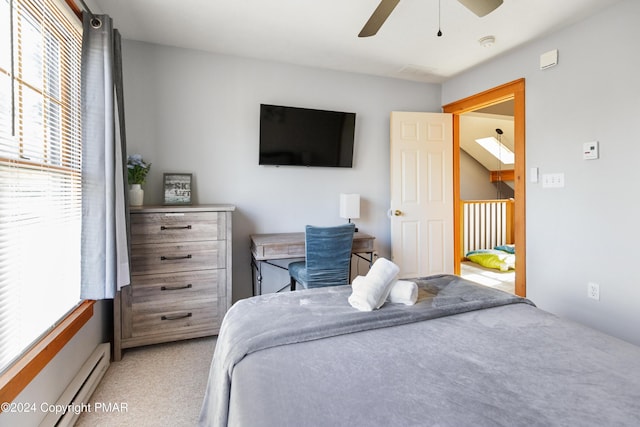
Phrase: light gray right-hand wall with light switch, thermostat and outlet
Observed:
(586, 231)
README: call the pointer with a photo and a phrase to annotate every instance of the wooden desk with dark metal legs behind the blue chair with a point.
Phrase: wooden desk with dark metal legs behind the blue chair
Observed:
(268, 247)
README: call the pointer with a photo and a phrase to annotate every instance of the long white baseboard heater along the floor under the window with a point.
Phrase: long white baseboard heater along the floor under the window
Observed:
(81, 388)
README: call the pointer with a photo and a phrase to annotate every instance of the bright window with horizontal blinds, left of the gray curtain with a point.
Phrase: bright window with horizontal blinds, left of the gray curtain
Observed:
(40, 170)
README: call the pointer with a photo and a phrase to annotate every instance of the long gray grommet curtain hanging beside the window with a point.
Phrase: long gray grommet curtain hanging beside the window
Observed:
(105, 255)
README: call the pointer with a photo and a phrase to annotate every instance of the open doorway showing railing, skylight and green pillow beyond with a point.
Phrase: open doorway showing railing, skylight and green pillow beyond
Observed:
(487, 192)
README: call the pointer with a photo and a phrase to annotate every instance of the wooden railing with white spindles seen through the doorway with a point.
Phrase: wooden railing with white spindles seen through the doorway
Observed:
(486, 224)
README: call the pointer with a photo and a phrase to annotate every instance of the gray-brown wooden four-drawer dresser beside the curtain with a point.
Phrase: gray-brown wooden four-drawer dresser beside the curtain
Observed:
(180, 275)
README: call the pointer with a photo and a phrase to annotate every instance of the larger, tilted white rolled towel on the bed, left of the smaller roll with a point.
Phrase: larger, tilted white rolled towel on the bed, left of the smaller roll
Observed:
(371, 291)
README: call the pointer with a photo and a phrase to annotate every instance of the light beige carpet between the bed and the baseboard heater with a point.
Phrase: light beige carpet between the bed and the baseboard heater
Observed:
(158, 385)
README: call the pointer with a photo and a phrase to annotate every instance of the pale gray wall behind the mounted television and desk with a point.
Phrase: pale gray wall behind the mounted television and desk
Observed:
(191, 111)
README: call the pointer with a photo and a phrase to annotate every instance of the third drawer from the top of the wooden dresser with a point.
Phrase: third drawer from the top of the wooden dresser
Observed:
(166, 288)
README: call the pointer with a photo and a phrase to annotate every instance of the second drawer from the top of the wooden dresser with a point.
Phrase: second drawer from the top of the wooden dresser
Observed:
(177, 257)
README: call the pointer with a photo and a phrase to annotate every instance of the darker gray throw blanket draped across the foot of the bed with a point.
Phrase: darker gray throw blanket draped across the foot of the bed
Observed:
(273, 320)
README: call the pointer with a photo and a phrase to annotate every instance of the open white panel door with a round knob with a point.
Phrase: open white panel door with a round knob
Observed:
(422, 193)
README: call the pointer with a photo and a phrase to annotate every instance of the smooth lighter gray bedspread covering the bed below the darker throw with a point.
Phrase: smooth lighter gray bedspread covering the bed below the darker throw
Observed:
(512, 366)
